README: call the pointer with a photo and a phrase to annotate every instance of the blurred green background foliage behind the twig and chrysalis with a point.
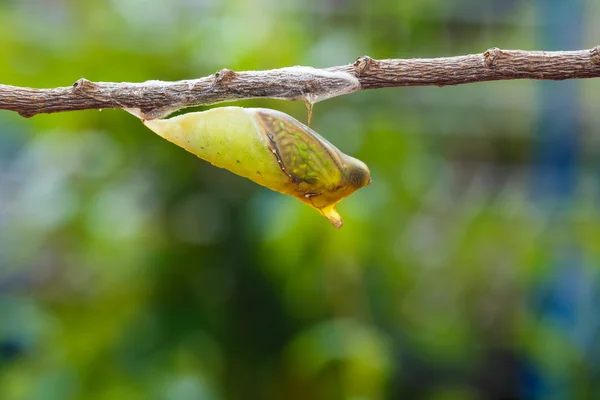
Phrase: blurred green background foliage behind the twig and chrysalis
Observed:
(468, 269)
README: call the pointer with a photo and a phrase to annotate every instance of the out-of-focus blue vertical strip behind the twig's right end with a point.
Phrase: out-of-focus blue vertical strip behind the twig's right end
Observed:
(563, 297)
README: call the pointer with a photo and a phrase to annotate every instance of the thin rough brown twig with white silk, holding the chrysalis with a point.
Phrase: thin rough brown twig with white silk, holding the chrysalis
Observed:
(155, 99)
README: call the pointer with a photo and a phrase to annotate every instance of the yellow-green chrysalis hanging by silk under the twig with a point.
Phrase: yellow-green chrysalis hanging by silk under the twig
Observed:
(272, 149)
